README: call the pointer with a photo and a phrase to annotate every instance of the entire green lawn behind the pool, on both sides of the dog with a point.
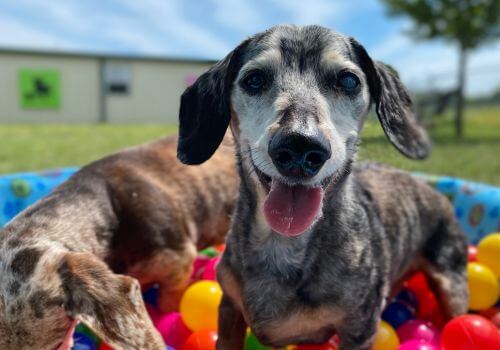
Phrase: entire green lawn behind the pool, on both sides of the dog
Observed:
(37, 147)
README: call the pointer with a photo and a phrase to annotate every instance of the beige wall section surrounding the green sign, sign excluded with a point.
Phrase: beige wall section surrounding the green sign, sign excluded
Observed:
(79, 89)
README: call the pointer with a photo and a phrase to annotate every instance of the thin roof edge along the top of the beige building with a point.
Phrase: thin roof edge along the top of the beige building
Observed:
(99, 55)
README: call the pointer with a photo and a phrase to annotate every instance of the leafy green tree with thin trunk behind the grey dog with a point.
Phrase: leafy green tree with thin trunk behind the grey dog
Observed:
(467, 23)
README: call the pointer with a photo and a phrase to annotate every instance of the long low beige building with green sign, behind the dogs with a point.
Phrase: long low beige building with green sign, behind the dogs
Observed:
(61, 87)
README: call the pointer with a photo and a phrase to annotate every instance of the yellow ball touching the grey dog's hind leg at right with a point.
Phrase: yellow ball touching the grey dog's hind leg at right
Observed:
(483, 286)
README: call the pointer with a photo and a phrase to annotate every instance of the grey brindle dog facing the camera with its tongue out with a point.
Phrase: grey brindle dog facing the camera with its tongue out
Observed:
(316, 241)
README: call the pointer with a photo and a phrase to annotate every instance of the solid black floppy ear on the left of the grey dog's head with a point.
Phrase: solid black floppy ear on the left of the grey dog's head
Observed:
(205, 109)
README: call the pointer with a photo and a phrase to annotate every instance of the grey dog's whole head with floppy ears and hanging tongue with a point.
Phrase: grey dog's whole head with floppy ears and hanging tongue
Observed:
(296, 98)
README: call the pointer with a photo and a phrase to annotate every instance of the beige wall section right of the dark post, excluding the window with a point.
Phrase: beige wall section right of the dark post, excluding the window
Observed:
(155, 92)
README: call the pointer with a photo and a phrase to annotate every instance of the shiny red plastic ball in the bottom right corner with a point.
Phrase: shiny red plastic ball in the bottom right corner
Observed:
(470, 332)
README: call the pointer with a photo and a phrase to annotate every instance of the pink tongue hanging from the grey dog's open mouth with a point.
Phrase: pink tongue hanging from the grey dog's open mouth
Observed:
(291, 210)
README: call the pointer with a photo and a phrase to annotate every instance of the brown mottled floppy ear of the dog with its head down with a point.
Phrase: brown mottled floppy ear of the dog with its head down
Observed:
(109, 304)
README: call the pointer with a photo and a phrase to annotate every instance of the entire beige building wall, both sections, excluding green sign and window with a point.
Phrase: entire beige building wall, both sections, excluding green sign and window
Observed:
(155, 89)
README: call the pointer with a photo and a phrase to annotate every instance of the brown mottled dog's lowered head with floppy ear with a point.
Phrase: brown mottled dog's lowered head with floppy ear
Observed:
(43, 295)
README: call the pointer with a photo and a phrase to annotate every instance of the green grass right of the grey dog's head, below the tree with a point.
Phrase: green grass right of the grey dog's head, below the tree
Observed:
(475, 157)
